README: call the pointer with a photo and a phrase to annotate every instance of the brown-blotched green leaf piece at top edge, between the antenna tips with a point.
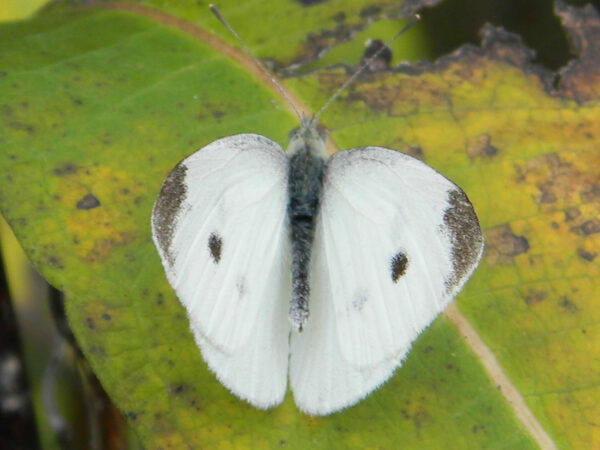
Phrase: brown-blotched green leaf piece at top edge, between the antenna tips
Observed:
(296, 32)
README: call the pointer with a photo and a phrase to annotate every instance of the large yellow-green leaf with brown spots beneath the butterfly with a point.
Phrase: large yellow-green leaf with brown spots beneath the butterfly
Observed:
(98, 105)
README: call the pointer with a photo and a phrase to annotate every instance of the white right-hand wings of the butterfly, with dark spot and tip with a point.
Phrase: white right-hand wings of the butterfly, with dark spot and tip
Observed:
(397, 241)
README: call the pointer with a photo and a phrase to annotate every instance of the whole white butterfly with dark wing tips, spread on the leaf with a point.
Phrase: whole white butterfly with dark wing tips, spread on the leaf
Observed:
(323, 268)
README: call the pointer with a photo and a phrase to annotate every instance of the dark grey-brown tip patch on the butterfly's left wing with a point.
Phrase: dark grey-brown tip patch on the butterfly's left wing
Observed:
(167, 207)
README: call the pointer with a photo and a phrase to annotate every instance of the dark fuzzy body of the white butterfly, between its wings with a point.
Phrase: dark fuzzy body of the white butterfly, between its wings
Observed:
(305, 182)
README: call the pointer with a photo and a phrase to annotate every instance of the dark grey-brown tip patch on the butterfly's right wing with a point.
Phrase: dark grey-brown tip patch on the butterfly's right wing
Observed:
(465, 236)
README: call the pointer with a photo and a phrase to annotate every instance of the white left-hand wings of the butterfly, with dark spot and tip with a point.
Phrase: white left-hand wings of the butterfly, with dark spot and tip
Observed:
(220, 227)
